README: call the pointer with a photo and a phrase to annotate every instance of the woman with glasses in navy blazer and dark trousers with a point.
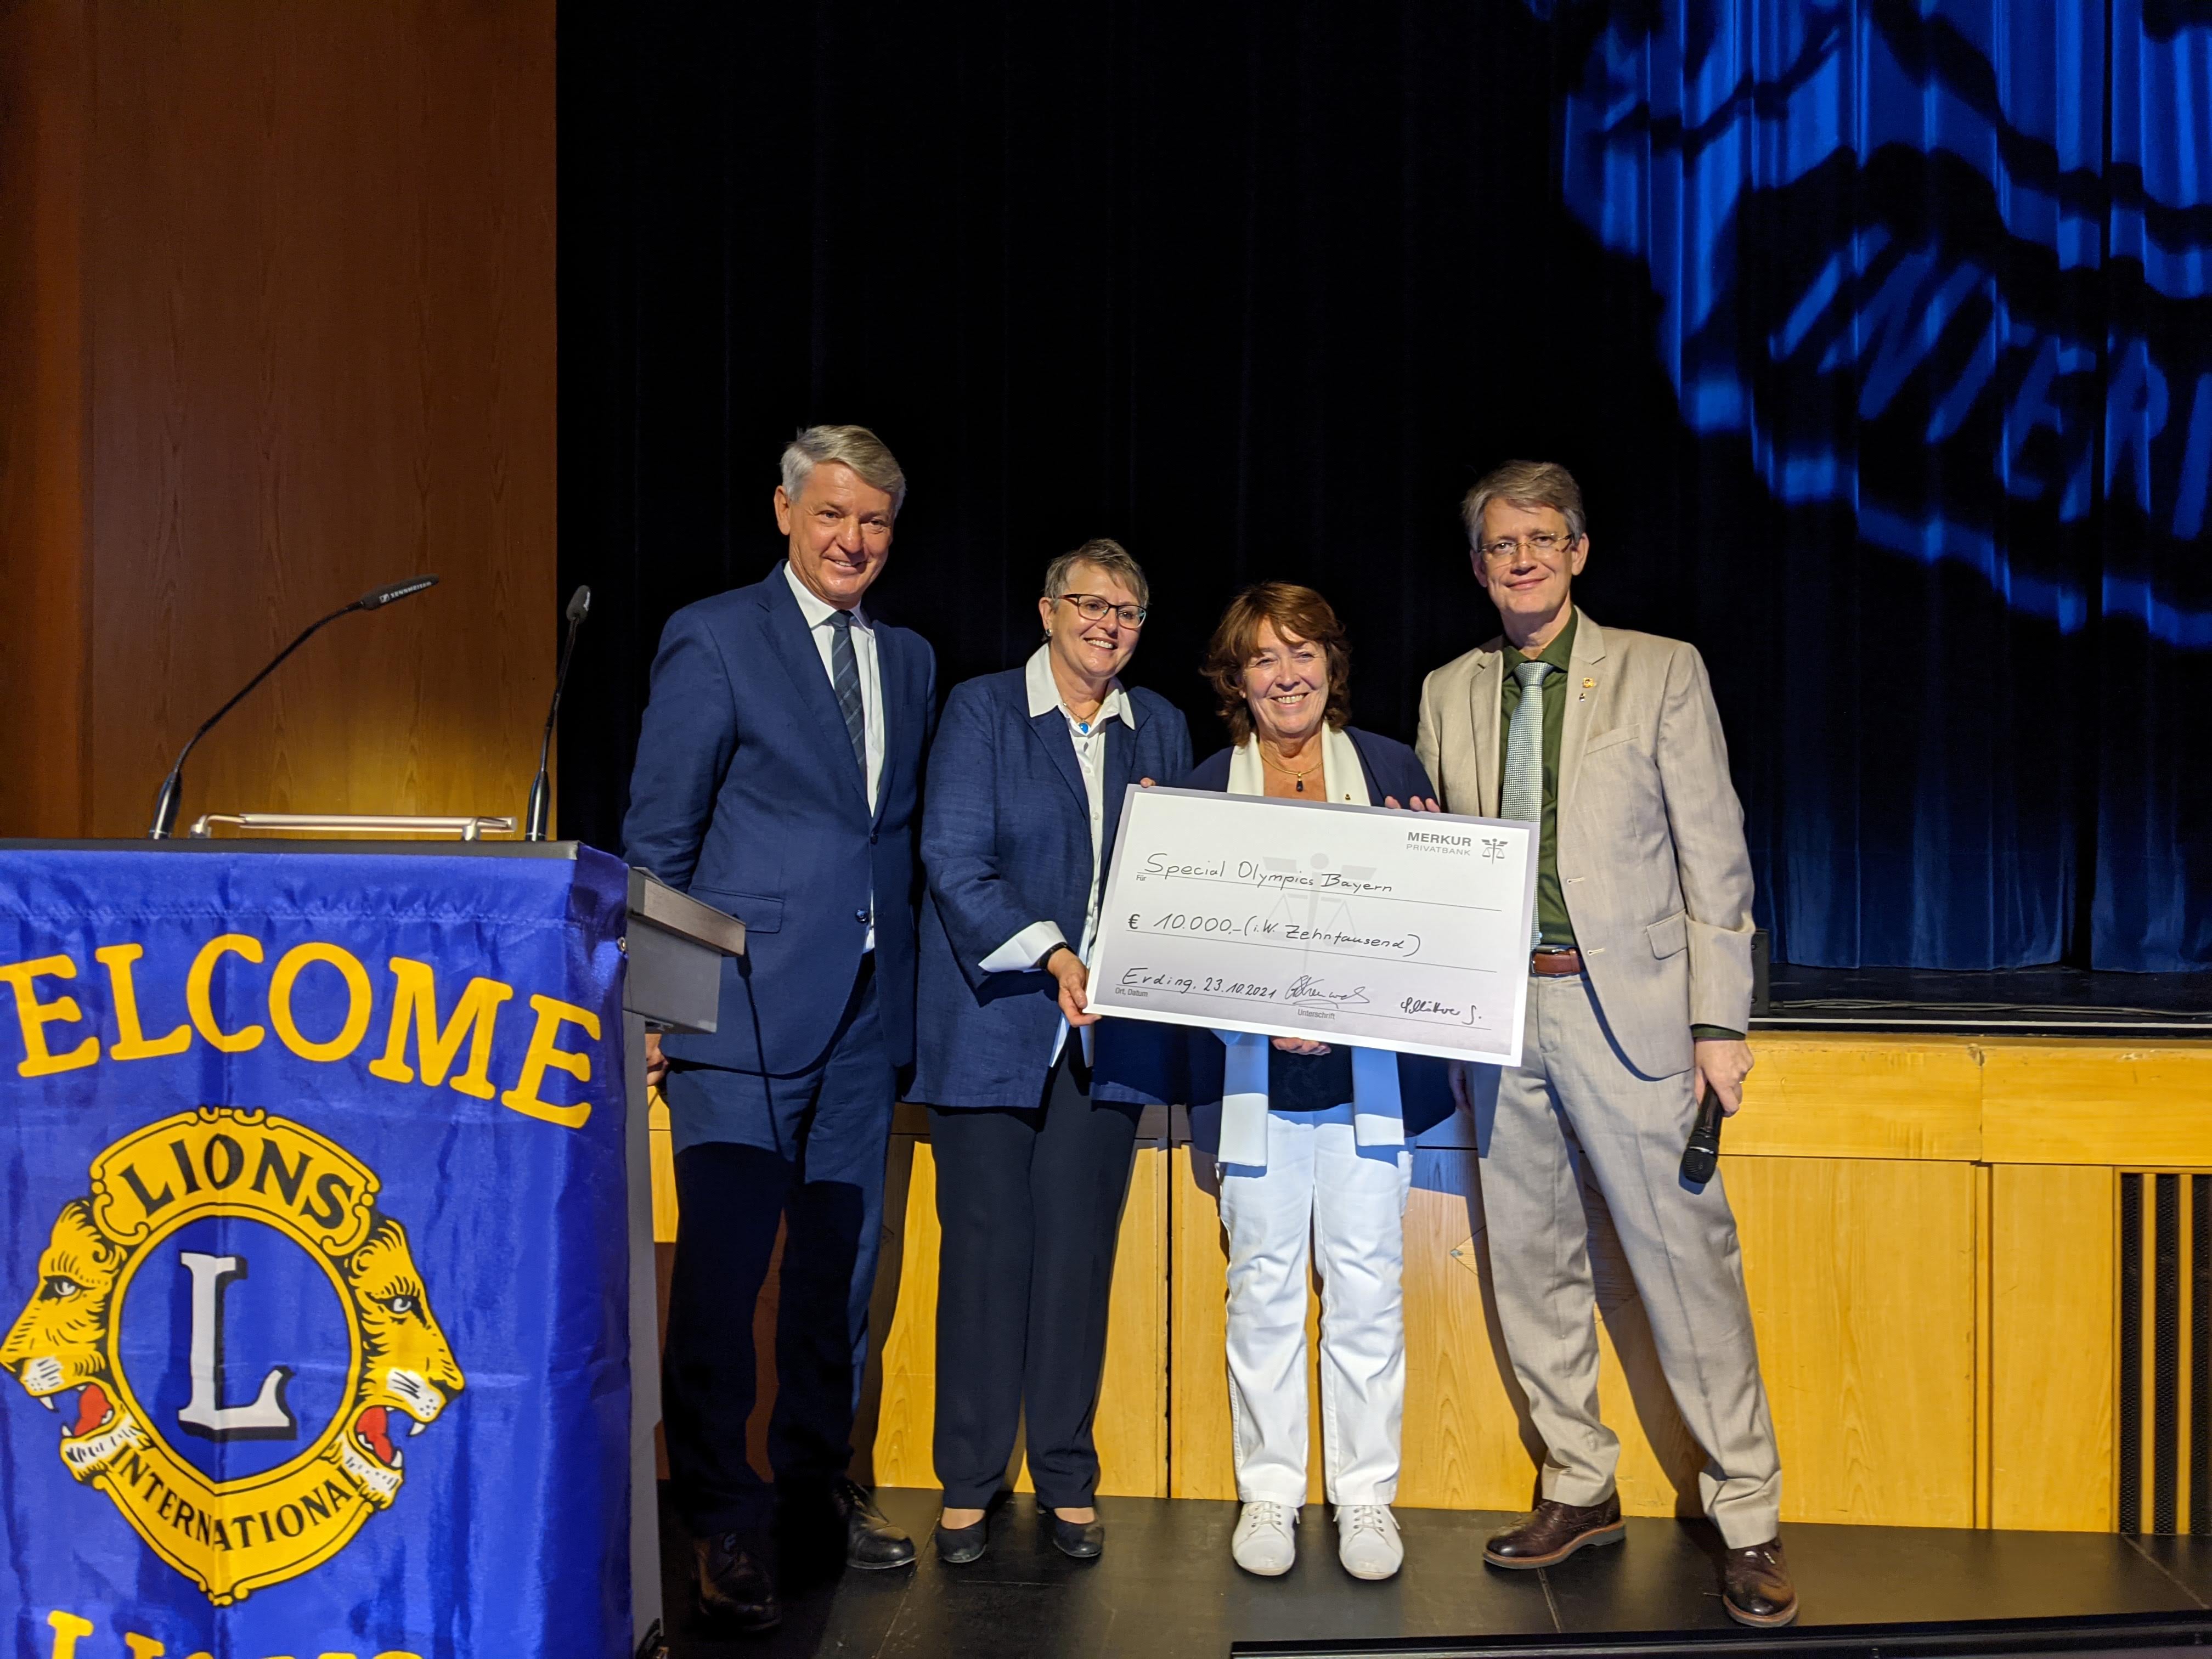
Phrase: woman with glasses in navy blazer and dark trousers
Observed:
(1032, 1100)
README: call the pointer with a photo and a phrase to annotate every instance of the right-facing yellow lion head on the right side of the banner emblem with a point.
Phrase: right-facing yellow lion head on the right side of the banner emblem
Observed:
(406, 1364)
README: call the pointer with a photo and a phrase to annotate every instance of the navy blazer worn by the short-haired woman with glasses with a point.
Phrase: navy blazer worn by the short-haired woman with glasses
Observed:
(1008, 844)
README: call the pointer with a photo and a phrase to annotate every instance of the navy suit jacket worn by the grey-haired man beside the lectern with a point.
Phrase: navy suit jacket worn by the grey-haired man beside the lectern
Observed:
(749, 797)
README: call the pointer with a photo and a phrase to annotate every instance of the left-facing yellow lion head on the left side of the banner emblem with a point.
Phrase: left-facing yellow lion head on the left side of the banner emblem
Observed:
(56, 1346)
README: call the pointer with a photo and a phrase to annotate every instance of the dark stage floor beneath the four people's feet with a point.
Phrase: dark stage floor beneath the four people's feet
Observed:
(1167, 1587)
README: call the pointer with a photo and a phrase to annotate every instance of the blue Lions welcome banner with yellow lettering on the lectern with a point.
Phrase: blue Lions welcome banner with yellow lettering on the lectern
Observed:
(313, 1255)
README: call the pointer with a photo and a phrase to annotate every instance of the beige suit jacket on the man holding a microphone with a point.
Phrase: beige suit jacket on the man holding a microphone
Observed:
(1651, 837)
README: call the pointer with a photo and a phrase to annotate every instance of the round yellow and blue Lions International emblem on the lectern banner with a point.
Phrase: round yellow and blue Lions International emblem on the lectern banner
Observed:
(233, 1339)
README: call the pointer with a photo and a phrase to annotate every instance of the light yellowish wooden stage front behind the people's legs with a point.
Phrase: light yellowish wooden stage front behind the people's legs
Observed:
(1932, 1242)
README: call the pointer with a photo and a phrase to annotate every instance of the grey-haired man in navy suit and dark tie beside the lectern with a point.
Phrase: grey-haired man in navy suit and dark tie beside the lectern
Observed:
(780, 780)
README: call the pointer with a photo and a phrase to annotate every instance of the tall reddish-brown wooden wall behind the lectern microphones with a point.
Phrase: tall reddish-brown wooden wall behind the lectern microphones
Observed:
(317, 353)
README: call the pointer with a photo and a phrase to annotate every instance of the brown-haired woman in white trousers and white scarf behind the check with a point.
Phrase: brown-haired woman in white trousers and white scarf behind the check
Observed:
(1315, 1138)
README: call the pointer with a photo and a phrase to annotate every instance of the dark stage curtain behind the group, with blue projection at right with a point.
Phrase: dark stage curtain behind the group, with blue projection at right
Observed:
(1879, 344)
